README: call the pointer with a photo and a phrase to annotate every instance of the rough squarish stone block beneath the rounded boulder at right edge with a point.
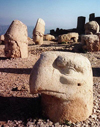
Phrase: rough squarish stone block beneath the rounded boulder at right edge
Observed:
(90, 42)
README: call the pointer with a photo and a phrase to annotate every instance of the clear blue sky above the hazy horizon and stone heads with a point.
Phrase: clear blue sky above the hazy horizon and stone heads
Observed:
(55, 13)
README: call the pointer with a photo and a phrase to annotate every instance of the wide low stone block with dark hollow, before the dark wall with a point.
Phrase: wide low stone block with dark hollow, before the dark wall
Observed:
(70, 37)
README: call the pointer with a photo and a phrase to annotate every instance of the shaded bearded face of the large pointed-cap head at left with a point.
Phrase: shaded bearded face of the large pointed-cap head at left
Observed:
(12, 49)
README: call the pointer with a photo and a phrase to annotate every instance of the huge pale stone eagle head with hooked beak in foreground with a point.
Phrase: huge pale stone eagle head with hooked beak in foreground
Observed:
(65, 82)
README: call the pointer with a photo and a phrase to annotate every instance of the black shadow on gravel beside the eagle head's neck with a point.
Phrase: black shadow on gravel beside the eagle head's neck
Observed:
(15, 108)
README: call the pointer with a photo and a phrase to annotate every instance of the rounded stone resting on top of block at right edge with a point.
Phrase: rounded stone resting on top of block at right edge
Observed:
(91, 27)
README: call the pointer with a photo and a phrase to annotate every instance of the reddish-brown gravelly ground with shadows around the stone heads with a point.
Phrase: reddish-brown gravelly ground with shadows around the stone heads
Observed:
(18, 108)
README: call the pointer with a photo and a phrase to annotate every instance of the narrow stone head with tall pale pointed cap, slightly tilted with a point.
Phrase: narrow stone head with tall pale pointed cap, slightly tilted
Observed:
(38, 32)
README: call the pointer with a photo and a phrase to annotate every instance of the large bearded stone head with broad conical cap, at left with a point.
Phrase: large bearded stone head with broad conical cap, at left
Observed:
(16, 40)
